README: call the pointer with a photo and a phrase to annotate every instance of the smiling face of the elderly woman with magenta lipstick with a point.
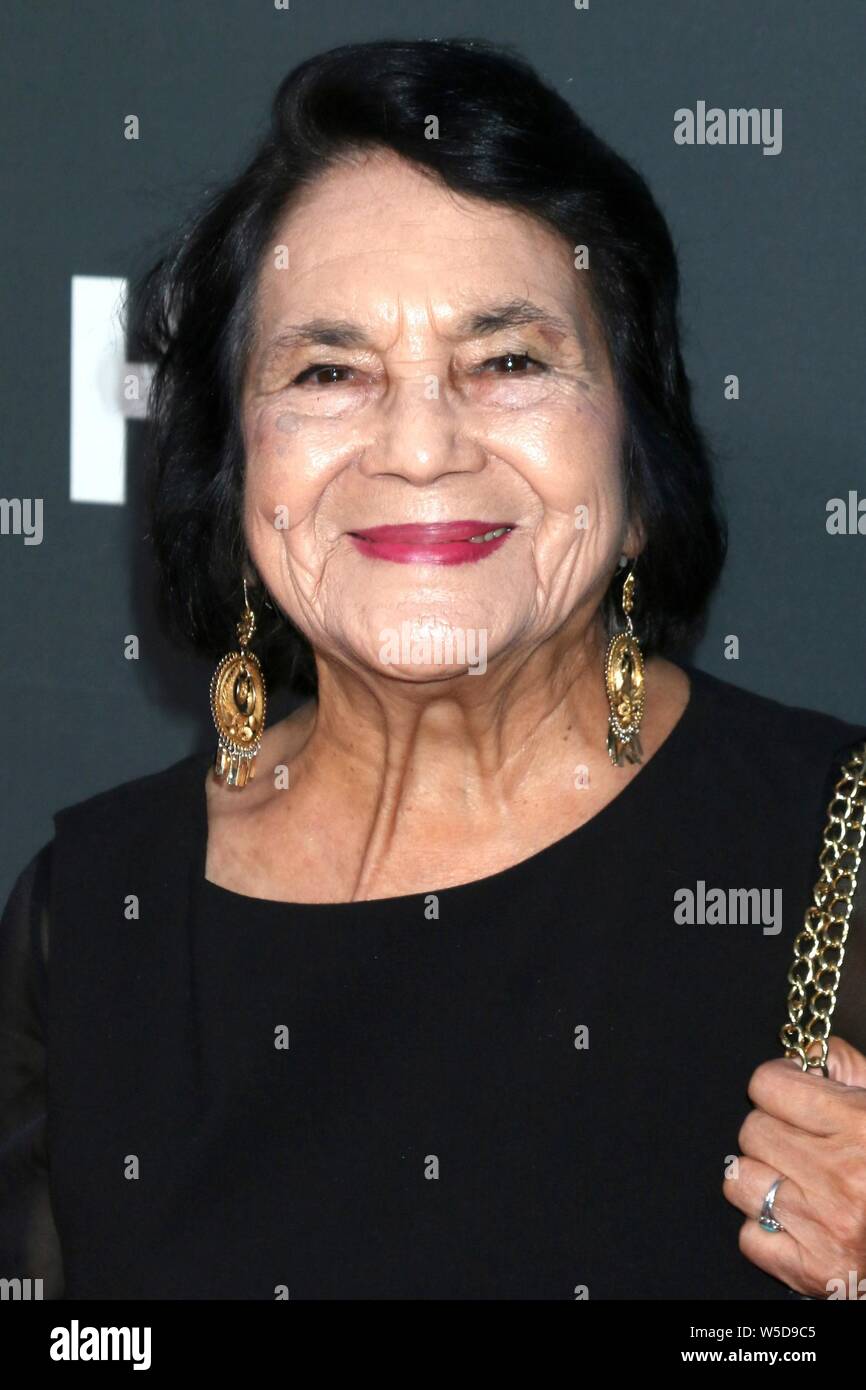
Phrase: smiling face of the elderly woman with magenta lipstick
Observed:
(395, 382)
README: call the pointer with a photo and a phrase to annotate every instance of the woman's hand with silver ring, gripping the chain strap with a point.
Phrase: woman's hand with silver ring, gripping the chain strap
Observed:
(812, 1131)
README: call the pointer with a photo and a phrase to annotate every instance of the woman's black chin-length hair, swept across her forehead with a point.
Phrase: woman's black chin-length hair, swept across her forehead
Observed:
(508, 138)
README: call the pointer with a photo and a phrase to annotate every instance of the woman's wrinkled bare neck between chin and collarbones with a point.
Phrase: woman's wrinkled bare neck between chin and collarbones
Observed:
(487, 740)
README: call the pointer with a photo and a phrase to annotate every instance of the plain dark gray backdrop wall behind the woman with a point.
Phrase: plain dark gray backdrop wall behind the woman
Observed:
(772, 259)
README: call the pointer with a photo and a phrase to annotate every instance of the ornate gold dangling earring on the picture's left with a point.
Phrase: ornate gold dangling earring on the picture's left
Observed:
(237, 703)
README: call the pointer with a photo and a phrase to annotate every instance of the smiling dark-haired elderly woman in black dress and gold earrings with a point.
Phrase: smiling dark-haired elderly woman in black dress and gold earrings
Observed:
(466, 978)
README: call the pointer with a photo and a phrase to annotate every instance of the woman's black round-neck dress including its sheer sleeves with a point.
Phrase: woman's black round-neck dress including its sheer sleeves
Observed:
(522, 1088)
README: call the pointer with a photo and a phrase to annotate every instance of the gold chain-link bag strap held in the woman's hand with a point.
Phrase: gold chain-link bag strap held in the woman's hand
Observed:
(819, 949)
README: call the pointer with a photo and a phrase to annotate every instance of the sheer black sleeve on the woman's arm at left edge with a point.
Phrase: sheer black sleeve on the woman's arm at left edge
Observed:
(30, 1245)
